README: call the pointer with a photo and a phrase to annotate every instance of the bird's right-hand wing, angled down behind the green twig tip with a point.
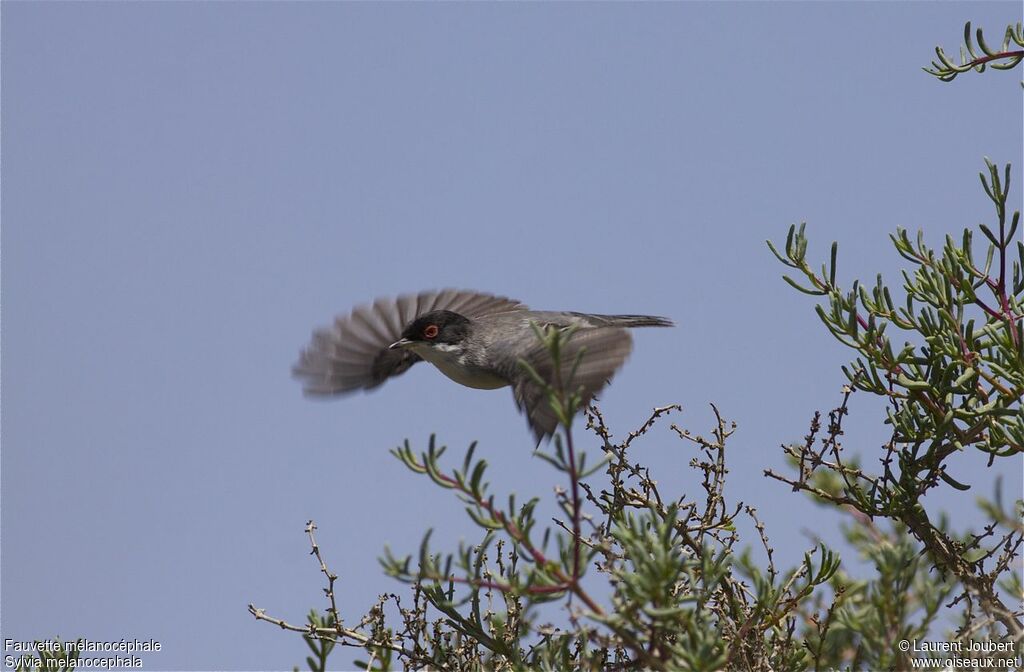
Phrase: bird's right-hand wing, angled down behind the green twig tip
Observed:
(604, 352)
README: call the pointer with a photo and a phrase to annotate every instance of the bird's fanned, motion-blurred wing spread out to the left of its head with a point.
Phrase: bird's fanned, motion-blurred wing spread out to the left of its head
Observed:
(353, 354)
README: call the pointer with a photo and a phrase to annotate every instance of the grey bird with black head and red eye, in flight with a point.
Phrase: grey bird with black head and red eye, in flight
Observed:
(474, 339)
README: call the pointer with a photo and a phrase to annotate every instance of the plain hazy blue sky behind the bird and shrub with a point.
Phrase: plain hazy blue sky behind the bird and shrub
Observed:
(189, 189)
